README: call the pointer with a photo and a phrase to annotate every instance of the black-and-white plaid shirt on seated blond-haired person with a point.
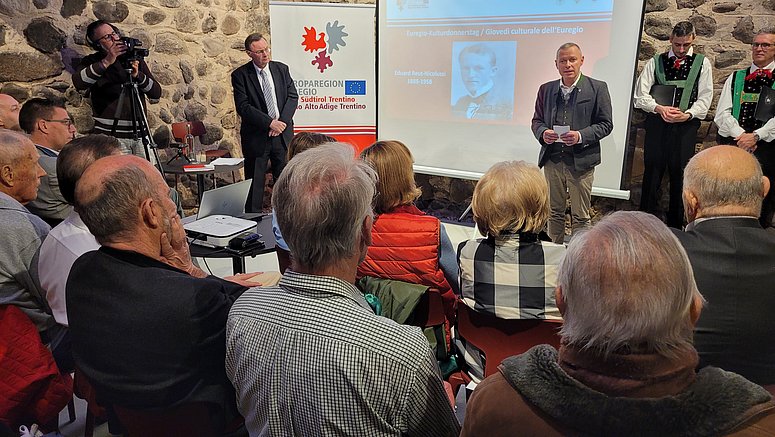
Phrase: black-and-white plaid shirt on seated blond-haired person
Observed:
(511, 277)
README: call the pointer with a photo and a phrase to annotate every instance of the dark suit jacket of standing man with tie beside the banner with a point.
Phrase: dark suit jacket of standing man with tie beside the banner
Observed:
(251, 106)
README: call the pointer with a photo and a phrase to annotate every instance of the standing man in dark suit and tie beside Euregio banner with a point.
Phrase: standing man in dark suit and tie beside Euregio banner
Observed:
(266, 100)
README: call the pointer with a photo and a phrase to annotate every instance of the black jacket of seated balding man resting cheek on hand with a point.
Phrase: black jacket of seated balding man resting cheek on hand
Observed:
(148, 335)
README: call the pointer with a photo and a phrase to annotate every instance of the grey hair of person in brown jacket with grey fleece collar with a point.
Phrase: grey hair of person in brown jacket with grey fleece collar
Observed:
(628, 286)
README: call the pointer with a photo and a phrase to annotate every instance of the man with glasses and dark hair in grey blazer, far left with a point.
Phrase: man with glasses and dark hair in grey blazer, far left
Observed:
(50, 128)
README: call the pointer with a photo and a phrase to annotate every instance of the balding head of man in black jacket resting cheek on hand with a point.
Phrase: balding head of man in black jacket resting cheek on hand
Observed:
(109, 194)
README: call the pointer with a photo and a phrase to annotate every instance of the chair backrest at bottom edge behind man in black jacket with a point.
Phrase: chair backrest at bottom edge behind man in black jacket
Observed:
(186, 419)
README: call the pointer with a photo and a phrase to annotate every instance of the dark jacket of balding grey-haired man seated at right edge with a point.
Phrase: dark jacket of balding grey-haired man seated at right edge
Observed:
(734, 265)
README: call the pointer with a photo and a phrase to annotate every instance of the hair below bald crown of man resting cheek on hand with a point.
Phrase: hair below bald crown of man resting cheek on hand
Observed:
(111, 212)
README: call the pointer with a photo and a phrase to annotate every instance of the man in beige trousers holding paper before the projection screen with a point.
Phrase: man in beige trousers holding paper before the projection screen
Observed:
(572, 114)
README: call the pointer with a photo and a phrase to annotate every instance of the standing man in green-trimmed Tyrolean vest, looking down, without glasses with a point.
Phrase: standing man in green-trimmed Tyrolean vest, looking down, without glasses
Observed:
(672, 124)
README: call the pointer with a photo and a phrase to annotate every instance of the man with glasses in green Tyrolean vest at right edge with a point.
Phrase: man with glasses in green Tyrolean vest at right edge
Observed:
(736, 114)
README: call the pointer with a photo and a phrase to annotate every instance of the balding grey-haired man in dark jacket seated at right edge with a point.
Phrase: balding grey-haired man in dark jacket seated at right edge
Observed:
(733, 259)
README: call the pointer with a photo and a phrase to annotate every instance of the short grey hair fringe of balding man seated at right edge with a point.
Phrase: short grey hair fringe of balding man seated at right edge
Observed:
(716, 188)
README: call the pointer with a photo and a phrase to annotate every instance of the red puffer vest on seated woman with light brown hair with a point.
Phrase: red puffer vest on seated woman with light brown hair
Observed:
(405, 247)
